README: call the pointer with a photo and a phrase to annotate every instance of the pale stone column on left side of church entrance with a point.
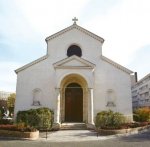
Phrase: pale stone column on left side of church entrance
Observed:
(56, 124)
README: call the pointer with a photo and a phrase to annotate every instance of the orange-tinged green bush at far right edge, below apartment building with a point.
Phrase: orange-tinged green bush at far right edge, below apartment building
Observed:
(142, 115)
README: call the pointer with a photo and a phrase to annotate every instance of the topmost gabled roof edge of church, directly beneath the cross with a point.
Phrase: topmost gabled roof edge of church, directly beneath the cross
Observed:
(75, 26)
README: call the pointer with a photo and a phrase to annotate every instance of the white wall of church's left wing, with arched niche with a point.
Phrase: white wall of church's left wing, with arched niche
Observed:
(39, 76)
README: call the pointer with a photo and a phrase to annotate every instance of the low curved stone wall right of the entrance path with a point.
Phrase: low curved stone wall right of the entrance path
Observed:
(121, 131)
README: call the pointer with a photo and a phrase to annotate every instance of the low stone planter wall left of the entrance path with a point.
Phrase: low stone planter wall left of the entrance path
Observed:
(18, 134)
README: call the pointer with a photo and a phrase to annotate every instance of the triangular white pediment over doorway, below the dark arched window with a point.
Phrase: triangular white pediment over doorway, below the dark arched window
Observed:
(74, 62)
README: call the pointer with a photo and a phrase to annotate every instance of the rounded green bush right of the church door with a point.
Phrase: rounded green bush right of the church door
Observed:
(109, 119)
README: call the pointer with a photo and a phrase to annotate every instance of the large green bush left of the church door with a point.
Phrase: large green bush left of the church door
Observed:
(41, 118)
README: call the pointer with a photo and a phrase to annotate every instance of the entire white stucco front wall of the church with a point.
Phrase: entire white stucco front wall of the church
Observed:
(42, 75)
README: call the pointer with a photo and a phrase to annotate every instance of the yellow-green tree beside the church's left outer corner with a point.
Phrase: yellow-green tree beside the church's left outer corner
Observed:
(11, 102)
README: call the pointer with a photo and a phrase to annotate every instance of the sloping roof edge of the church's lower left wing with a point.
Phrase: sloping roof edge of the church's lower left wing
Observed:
(31, 63)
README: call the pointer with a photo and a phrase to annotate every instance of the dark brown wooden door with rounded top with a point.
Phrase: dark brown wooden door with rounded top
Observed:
(73, 103)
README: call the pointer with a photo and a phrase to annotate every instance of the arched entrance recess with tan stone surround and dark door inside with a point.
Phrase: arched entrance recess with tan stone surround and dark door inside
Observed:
(72, 83)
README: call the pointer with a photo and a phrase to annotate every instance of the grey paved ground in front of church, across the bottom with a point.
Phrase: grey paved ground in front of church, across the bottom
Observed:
(84, 138)
